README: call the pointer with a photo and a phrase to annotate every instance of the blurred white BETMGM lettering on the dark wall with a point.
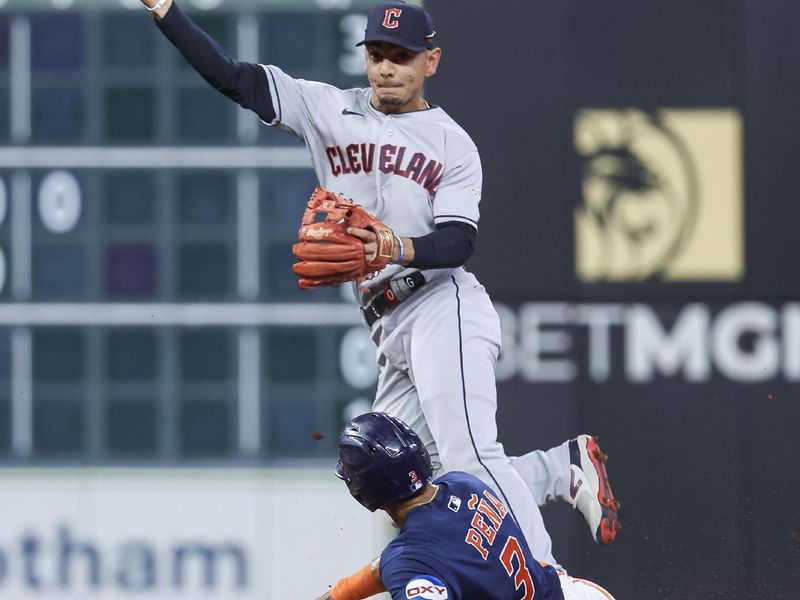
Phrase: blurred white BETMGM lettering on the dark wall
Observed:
(742, 342)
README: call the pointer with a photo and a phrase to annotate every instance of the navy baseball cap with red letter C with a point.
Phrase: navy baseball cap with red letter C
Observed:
(406, 25)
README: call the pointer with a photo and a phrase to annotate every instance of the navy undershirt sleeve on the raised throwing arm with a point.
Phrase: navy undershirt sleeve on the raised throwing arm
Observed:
(242, 82)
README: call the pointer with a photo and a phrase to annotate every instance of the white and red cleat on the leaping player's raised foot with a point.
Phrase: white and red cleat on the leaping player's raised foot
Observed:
(590, 490)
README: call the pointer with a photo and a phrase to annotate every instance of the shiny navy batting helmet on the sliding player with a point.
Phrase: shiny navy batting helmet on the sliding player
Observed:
(382, 460)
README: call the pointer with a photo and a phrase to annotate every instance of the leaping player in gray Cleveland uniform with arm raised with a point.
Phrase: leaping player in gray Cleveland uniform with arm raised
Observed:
(437, 334)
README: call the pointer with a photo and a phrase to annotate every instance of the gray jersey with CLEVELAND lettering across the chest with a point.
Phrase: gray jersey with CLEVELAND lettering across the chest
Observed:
(411, 170)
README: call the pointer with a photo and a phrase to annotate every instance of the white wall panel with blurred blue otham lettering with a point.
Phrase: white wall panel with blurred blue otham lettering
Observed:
(167, 534)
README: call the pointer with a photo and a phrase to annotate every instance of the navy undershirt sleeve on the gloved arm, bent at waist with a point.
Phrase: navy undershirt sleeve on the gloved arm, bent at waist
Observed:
(450, 245)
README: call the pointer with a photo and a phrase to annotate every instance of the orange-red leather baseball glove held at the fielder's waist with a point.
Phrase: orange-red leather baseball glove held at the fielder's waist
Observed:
(326, 253)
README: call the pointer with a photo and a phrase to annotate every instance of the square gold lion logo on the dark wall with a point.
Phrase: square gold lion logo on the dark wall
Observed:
(661, 195)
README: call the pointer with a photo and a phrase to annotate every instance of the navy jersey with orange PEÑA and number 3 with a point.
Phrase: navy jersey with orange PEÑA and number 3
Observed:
(464, 545)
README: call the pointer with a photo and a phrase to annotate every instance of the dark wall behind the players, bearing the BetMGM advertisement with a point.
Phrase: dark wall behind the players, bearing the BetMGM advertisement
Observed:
(705, 462)
